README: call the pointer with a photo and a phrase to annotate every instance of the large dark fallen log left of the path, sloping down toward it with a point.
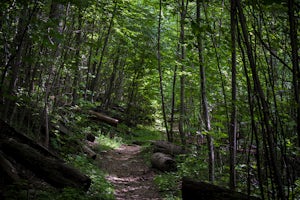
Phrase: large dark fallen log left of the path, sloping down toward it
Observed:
(53, 171)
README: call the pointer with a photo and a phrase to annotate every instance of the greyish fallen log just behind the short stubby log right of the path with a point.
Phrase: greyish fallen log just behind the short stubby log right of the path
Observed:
(167, 148)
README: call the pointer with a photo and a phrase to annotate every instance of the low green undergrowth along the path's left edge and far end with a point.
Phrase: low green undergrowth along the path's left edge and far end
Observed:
(79, 123)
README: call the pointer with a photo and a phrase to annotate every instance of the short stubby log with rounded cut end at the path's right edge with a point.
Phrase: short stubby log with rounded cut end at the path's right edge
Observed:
(163, 162)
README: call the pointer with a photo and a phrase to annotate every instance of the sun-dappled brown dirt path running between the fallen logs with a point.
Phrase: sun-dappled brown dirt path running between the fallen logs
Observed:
(128, 172)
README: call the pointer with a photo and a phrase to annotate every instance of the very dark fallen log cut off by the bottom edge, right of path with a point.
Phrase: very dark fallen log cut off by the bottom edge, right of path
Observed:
(194, 190)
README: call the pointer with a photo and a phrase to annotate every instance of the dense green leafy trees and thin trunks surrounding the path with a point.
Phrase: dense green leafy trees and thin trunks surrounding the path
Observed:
(226, 74)
